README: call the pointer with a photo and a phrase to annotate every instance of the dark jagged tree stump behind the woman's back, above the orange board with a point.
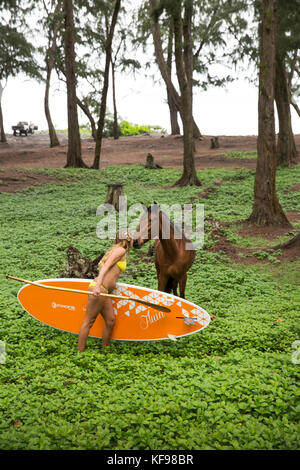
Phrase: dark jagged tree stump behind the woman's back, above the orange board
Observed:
(79, 266)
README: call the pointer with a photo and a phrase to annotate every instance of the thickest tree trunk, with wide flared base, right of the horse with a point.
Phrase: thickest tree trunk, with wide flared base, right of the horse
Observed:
(266, 208)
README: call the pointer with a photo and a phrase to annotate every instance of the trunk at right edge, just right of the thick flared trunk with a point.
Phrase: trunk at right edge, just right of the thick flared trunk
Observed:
(286, 147)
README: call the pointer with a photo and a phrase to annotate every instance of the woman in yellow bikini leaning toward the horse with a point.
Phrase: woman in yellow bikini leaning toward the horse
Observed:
(110, 268)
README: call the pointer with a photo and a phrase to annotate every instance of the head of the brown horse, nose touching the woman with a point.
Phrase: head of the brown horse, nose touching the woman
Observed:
(148, 227)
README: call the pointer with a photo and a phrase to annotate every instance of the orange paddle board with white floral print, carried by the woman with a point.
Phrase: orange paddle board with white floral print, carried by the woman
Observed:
(134, 322)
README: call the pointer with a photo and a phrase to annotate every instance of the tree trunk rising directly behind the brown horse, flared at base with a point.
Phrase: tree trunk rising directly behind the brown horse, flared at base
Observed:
(184, 68)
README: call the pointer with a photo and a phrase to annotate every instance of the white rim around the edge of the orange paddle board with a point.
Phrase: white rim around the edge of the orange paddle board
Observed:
(117, 285)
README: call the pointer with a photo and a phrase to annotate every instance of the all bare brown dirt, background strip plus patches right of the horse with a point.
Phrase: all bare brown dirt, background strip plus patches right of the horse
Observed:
(20, 154)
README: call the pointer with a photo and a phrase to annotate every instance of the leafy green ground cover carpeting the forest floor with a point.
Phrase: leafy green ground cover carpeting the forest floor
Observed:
(232, 386)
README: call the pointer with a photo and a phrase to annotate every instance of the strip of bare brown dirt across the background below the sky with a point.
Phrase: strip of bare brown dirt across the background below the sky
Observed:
(34, 151)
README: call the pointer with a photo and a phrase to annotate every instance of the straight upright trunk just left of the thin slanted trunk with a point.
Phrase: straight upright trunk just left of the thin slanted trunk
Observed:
(74, 158)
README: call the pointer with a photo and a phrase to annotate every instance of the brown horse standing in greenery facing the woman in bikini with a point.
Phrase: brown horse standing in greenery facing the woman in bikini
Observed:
(172, 258)
